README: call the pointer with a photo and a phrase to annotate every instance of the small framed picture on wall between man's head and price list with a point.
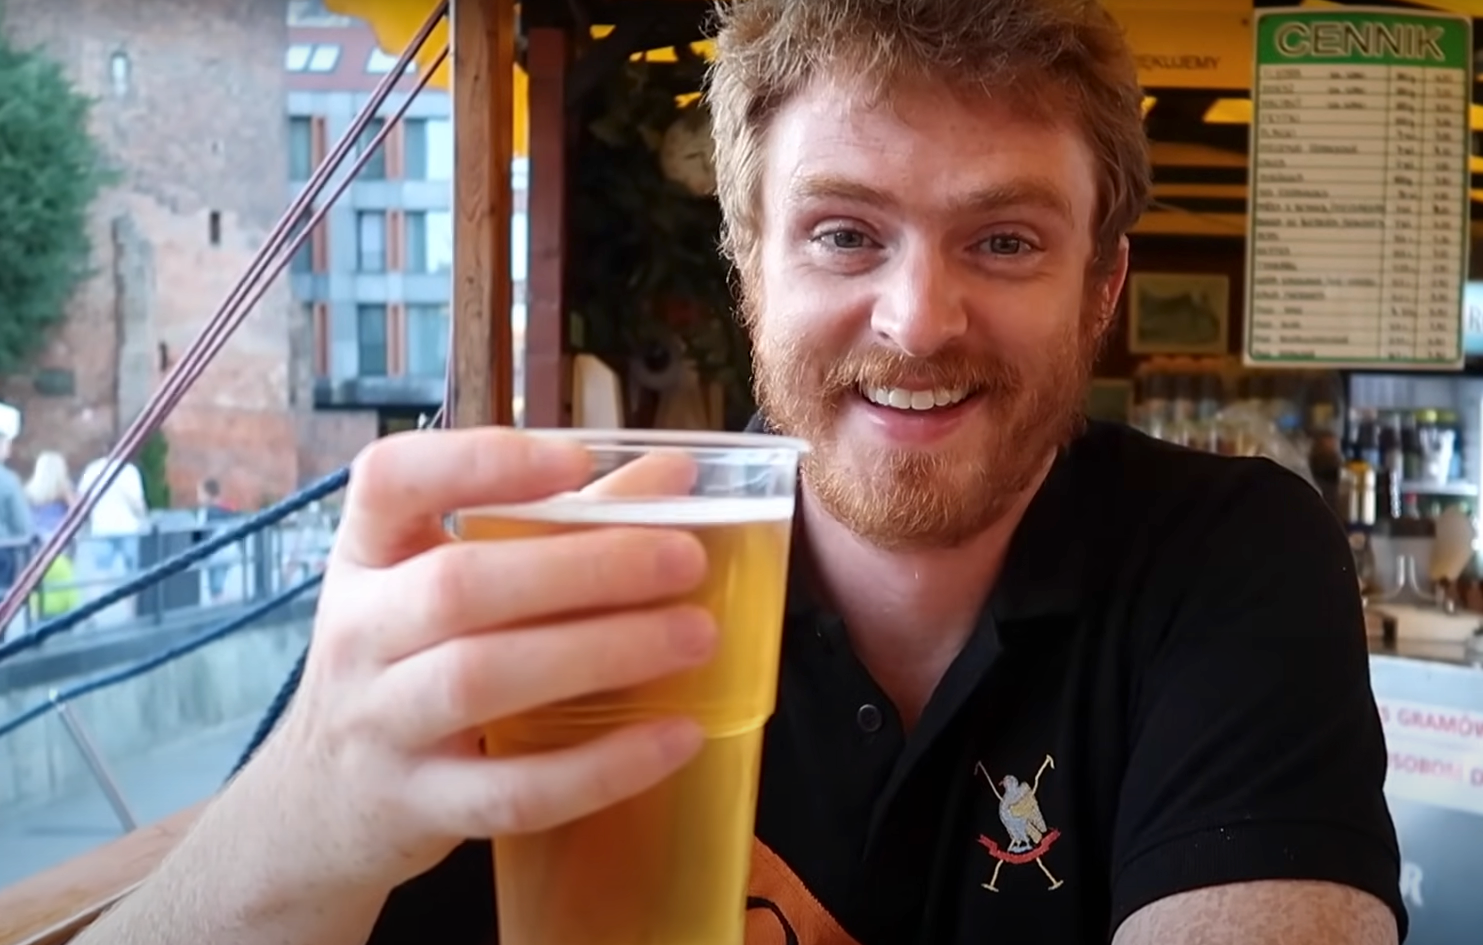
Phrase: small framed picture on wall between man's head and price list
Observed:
(1178, 314)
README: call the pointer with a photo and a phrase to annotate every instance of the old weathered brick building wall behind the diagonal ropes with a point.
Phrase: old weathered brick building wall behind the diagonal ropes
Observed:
(191, 108)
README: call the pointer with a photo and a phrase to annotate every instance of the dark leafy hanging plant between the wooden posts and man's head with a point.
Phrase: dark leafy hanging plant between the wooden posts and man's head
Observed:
(647, 281)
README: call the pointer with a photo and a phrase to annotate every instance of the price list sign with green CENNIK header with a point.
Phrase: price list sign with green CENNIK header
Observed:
(1359, 189)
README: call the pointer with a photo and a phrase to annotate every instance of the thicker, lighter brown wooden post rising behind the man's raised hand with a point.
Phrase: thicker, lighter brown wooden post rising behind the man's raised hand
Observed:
(484, 63)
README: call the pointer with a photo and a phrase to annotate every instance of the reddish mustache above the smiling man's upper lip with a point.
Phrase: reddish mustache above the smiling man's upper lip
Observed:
(950, 370)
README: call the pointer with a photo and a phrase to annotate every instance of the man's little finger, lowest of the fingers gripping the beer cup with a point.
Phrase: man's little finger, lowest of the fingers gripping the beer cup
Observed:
(499, 797)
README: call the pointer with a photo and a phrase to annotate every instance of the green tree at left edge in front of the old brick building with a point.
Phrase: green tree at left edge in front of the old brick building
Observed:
(51, 173)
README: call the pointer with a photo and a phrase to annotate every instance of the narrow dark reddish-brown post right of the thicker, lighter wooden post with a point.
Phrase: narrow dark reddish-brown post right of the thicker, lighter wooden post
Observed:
(548, 370)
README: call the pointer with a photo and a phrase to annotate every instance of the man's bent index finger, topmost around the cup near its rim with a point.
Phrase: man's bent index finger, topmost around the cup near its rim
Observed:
(401, 486)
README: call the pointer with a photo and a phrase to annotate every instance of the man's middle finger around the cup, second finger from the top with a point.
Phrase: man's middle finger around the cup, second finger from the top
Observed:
(471, 587)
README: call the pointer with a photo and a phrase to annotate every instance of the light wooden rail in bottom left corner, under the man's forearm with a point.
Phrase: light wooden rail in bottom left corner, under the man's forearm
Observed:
(54, 907)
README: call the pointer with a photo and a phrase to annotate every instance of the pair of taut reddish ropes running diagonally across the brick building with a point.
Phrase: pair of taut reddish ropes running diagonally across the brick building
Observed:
(234, 311)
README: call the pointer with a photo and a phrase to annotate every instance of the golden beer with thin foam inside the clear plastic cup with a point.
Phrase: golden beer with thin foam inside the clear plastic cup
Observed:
(671, 866)
